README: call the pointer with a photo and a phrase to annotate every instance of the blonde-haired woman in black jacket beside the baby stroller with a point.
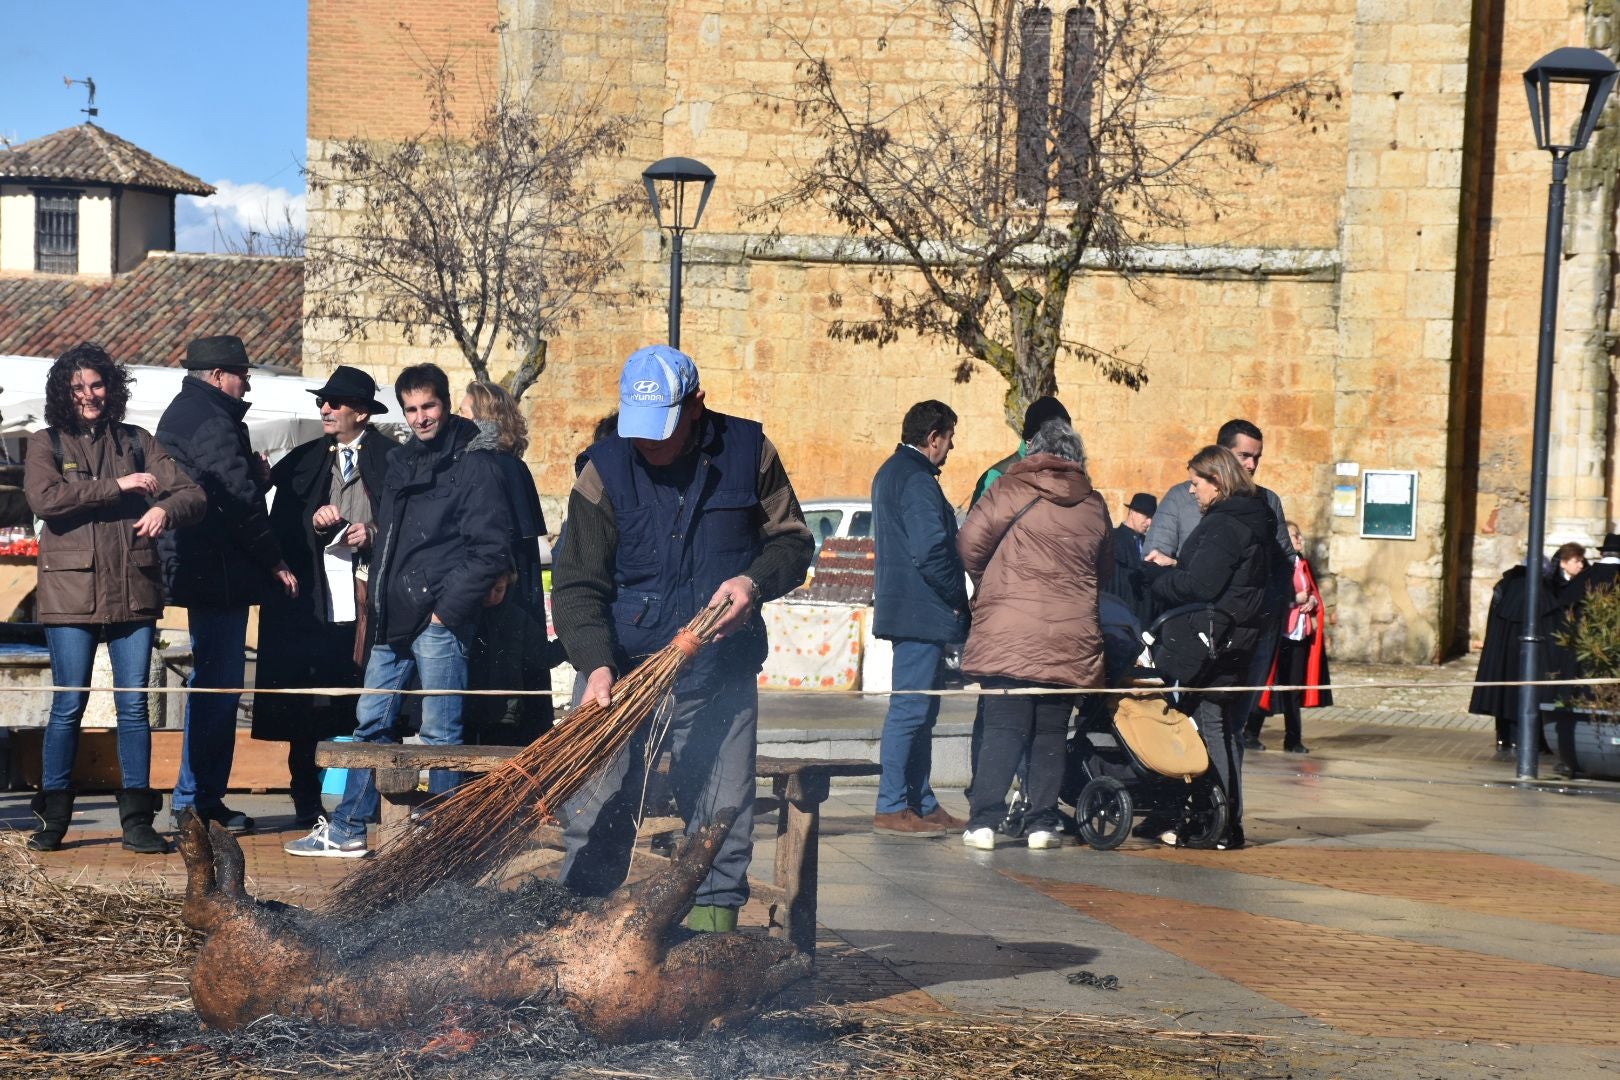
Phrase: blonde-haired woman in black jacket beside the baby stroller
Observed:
(1226, 563)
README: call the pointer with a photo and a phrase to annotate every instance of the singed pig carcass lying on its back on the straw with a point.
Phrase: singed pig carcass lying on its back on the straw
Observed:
(621, 964)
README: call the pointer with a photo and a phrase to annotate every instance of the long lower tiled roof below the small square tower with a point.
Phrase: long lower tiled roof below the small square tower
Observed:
(148, 315)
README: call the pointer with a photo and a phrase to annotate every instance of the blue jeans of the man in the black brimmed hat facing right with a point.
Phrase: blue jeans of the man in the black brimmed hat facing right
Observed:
(220, 639)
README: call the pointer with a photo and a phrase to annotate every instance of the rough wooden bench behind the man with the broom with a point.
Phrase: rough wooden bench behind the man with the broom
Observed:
(798, 791)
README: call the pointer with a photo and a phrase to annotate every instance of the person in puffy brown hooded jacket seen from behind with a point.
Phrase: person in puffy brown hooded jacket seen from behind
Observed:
(1038, 548)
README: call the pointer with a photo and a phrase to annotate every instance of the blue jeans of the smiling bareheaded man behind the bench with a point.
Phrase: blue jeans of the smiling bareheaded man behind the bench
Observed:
(438, 657)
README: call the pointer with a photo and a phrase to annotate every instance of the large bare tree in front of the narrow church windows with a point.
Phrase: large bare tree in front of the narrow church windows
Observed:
(979, 203)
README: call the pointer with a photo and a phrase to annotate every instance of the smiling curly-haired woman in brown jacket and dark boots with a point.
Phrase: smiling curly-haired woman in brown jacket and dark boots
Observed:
(106, 493)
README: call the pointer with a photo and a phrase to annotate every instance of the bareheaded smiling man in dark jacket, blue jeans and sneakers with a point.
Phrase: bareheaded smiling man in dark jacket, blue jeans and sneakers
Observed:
(440, 550)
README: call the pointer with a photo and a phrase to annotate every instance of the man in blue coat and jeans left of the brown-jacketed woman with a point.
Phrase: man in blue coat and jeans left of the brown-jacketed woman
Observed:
(921, 606)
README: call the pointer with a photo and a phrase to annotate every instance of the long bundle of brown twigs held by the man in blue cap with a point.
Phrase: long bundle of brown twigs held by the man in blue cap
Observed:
(485, 823)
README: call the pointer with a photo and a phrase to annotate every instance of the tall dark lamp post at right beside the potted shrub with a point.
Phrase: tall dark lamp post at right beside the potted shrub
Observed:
(1597, 74)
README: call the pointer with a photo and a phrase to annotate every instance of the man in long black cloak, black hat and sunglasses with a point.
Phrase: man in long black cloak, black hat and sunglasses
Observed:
(325, 512)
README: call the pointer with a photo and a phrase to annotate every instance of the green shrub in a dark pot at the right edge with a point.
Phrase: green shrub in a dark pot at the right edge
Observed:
(1587, 720)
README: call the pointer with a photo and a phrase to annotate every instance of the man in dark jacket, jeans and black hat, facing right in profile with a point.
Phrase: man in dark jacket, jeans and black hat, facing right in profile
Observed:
(220, 568)
